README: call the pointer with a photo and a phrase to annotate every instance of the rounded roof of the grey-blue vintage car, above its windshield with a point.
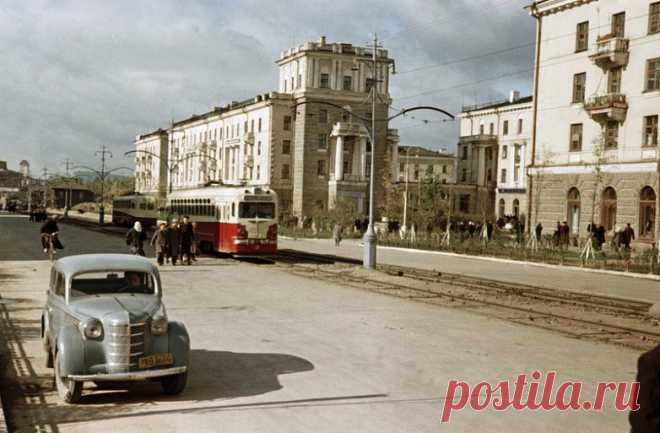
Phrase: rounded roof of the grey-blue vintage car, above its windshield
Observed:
(103, 262)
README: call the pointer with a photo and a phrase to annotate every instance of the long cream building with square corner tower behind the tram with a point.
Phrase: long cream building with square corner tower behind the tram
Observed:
(309, 141)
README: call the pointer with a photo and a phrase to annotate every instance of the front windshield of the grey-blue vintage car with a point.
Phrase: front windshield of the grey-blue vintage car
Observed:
(103, 283)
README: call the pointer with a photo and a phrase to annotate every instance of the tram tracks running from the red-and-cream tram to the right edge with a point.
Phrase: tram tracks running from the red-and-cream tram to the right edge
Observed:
(574, 314)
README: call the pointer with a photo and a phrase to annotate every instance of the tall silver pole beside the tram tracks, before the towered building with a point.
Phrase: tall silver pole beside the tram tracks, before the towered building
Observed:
(370, 239)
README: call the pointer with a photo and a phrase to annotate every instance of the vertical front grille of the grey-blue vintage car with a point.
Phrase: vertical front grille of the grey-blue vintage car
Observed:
(126, 344)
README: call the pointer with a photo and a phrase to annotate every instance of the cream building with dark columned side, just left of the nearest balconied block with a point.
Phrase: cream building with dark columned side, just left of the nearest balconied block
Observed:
(492, 157)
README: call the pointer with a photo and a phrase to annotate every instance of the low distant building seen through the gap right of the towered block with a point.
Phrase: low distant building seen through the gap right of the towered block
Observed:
(420, 163)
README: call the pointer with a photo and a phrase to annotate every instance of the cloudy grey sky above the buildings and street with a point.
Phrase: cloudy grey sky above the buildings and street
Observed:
(78, 74)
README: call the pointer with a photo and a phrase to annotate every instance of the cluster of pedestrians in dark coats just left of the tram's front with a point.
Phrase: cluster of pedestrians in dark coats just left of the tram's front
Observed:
(176, 242)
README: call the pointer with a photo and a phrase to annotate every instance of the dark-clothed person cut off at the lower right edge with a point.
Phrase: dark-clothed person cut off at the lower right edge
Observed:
(647, 418)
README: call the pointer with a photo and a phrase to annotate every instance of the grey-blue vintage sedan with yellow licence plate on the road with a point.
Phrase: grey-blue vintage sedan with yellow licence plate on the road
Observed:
(104, 320)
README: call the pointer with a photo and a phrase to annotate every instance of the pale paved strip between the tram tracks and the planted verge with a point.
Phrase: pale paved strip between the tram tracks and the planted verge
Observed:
(608, 283)
